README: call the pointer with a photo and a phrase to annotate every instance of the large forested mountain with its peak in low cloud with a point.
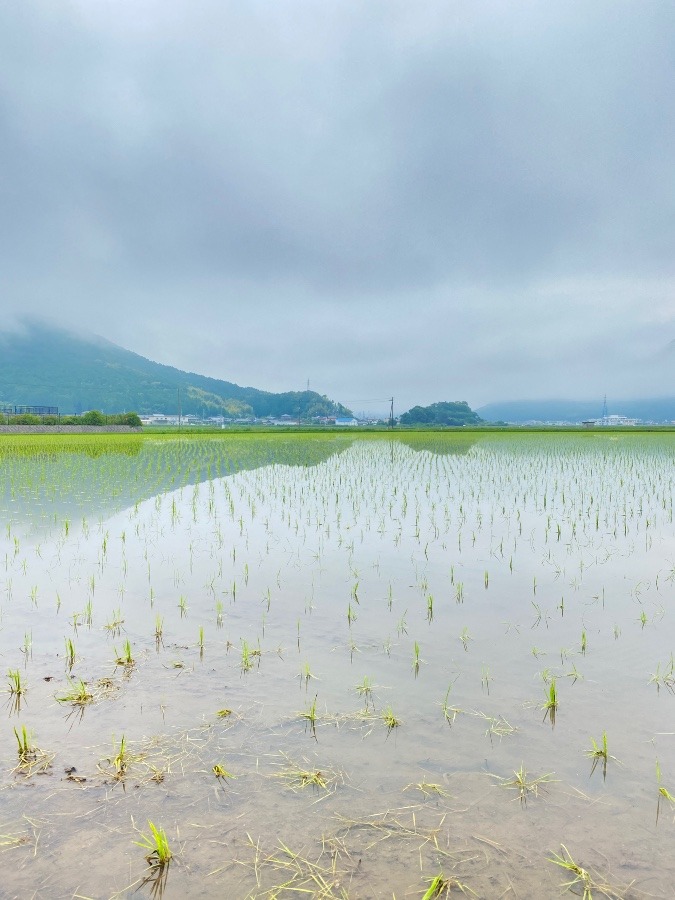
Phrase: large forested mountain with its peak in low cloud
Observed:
(41, 365)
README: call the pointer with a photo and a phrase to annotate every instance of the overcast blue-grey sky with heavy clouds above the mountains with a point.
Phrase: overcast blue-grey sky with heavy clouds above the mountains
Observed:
(449, 200)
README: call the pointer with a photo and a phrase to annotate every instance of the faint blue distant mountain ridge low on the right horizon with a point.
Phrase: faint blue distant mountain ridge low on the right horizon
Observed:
(660, 409)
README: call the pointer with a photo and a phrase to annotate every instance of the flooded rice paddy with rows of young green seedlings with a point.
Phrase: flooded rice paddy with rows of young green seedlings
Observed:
(328, 666)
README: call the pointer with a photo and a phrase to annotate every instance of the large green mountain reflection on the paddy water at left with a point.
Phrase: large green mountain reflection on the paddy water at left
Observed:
(76, 476)
